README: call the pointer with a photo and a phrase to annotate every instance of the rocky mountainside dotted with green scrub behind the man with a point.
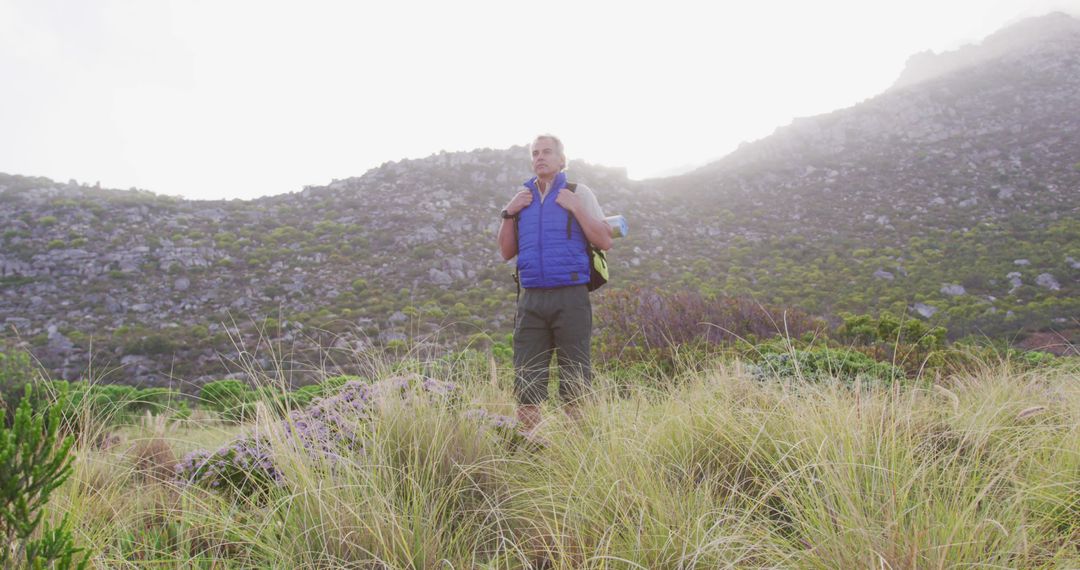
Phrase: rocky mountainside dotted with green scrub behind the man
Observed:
(954, 197)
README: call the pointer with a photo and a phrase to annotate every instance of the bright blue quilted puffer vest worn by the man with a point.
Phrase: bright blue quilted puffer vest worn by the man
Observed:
(547, 259)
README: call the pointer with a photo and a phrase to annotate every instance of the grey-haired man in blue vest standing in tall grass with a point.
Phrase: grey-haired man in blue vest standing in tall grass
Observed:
(555, 315)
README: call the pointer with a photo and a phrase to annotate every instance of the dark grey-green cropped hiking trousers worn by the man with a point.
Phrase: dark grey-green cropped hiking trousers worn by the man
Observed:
(557, 321)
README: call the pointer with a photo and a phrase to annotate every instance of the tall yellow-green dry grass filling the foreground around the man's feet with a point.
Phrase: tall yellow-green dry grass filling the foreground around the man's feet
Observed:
(719, 471)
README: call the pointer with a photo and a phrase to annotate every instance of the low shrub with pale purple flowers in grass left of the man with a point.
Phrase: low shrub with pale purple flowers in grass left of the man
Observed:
(331, 429)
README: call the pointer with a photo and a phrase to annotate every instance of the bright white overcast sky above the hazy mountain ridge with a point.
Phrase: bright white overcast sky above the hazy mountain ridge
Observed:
(227, 99)
